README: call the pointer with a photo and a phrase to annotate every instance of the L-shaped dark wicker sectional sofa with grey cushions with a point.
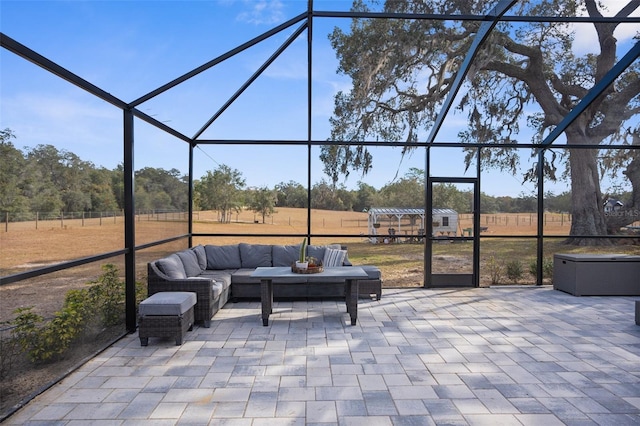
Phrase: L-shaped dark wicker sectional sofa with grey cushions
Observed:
(220, 273)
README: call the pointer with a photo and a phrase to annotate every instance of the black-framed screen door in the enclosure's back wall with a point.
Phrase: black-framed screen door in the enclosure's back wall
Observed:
(452, 243)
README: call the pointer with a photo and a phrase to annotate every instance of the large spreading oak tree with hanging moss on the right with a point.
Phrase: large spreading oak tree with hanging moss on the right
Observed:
(403, 69)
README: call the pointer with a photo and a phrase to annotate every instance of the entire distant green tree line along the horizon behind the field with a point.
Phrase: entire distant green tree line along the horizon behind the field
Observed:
(47, 179)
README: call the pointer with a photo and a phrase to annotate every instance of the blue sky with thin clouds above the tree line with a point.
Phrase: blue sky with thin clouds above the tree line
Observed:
(129, 48)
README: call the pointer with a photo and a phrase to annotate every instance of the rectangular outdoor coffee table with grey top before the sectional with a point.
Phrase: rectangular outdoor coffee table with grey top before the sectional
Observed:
(350, 274)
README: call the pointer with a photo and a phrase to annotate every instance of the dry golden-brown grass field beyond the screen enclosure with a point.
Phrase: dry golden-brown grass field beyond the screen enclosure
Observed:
(26, 245)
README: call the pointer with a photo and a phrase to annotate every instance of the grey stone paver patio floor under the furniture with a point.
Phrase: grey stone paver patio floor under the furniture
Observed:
(513, 355)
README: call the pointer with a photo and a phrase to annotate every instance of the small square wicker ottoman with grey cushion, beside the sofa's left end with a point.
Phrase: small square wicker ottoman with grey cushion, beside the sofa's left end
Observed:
(166, 314)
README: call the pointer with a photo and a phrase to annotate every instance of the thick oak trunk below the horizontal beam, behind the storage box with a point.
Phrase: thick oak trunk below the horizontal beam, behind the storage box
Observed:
(586, 198)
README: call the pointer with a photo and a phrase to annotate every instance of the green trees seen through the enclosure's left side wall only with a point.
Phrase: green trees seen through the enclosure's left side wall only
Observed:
(47, 179)
